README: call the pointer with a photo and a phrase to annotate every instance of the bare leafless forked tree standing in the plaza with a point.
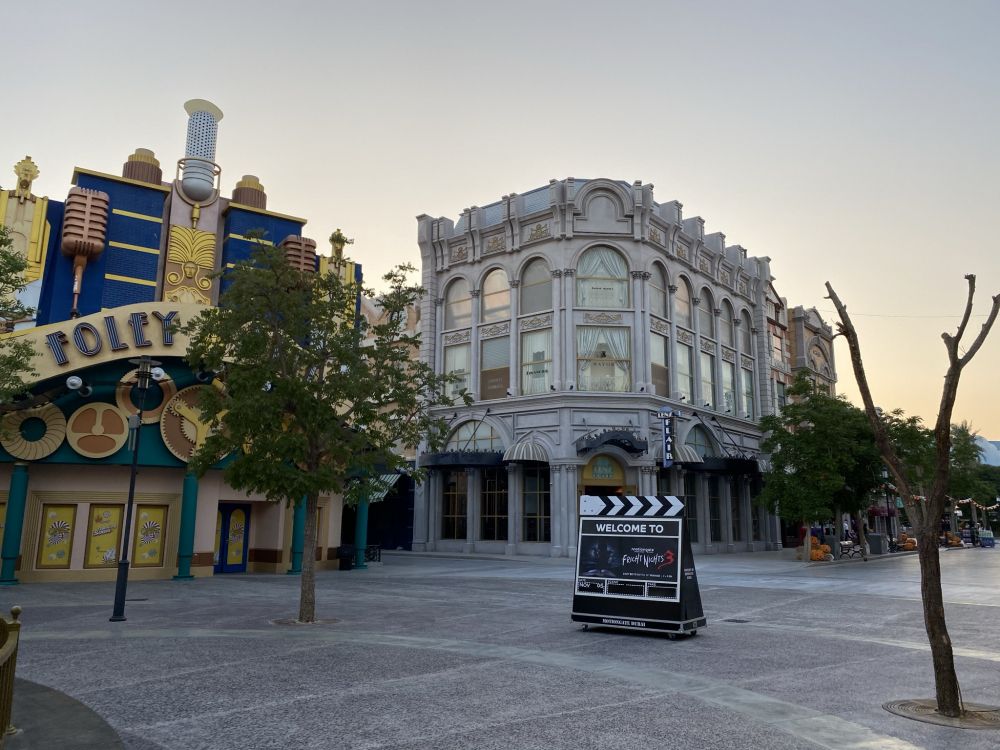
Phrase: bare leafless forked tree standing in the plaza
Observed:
(925, 511)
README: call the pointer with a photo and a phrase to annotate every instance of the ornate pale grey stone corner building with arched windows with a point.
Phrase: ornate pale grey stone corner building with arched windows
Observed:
(573, 315)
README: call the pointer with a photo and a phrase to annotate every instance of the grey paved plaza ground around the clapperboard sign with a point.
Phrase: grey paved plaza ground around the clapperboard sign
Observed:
(448, 653)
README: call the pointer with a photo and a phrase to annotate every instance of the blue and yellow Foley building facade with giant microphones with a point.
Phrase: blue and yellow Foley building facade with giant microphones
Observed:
(110, 268)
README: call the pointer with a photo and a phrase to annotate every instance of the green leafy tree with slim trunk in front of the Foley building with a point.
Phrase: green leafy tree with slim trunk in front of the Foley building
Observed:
(314, 400)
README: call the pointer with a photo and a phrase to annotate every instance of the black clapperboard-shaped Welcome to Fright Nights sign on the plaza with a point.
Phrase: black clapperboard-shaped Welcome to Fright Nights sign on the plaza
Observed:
(634, 567)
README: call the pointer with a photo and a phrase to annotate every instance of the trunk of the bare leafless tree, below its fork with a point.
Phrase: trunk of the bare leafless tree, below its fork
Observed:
(949, 695)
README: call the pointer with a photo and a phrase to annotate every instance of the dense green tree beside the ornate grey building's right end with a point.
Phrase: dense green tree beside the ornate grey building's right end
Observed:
(823, 457)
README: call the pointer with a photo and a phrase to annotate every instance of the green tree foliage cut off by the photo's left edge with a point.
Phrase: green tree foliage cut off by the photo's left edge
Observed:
(15, 354)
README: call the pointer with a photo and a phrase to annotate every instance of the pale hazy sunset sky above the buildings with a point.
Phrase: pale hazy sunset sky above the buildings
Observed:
(852, 141)
